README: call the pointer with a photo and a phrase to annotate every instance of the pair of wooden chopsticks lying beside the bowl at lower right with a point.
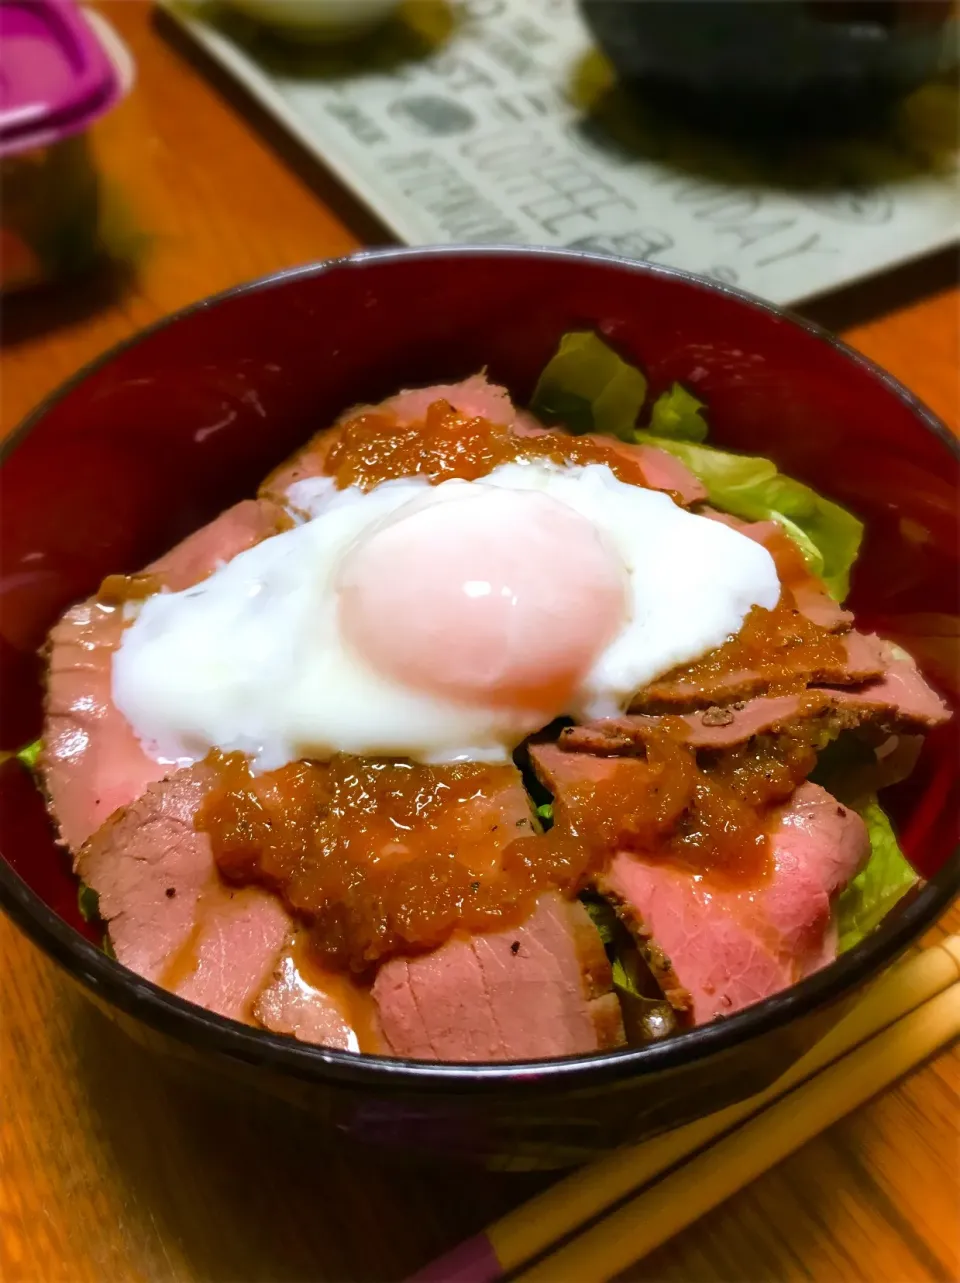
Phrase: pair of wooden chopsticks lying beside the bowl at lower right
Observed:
(672, 1181)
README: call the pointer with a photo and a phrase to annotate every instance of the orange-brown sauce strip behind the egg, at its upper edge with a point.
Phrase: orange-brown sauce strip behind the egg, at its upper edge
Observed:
(375, 448)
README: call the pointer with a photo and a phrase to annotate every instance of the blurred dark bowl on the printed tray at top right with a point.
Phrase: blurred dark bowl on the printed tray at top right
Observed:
(764, 67)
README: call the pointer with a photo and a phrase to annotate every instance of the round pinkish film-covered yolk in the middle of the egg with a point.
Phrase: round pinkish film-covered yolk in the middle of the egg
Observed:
(499, 597)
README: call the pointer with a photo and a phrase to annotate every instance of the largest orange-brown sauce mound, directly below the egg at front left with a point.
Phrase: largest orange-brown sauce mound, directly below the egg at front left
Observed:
(378, 858)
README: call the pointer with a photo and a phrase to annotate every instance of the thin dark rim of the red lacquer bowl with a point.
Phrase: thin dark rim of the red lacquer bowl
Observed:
(206, 1032)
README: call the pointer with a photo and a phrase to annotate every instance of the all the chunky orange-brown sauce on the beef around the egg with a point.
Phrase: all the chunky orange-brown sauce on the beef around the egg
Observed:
(381, 858)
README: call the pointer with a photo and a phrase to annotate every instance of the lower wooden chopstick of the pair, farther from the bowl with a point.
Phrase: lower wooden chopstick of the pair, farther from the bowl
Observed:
(685, 1195)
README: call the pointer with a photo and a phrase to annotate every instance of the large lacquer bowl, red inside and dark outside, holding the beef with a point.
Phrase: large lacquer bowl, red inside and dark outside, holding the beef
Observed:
(167, 430)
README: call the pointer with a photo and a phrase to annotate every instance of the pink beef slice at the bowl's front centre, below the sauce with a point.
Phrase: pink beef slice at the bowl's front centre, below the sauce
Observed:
(535, 991)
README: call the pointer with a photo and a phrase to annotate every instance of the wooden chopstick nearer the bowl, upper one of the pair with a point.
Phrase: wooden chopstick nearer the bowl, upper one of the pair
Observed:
(559, 1212)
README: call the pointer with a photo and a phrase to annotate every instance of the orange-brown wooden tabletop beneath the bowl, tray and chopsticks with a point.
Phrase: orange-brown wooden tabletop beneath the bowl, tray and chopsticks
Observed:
(111, 1172)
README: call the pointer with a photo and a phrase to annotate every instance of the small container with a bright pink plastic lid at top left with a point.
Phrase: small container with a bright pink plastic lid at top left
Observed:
(60, 72)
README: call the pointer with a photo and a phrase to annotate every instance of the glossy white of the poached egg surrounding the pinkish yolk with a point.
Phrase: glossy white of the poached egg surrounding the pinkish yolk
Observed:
(252, 659)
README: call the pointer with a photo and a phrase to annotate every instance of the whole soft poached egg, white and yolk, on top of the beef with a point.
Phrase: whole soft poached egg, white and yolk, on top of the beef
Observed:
(437, 623)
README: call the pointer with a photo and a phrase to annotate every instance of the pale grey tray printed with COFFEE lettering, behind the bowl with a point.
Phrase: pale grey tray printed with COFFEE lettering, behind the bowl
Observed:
(464, 124)
